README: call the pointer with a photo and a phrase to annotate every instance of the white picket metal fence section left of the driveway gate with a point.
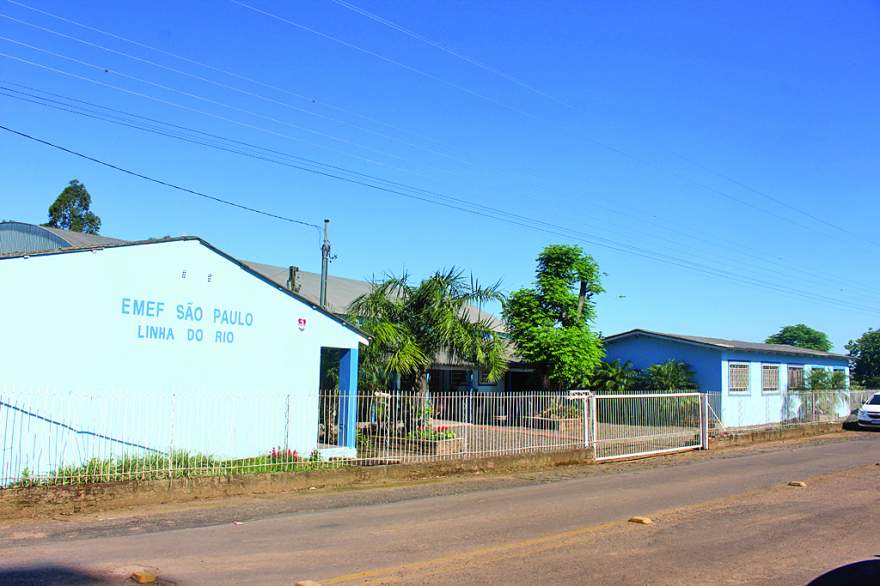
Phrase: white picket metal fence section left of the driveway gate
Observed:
(71, 438)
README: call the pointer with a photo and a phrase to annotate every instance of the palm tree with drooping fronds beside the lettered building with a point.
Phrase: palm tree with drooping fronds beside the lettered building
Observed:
(410, 324)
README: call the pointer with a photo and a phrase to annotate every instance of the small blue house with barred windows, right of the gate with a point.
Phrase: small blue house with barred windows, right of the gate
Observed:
(750, 381)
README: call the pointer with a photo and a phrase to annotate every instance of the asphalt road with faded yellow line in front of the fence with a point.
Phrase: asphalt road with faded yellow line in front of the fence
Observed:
(724, 519)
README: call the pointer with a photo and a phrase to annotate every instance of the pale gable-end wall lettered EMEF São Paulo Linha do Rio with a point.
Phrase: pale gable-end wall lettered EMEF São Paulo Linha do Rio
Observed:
(73, 349)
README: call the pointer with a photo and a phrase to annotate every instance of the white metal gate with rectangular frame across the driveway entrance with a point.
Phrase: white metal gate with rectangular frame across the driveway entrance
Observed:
(645, 424)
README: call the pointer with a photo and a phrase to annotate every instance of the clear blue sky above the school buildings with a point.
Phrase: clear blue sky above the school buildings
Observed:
(738, 136)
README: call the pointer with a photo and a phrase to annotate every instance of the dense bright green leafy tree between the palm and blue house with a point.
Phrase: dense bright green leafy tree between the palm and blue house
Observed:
(551, 323)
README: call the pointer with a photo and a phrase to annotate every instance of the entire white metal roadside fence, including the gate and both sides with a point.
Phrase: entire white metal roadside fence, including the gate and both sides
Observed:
(80, 437)
